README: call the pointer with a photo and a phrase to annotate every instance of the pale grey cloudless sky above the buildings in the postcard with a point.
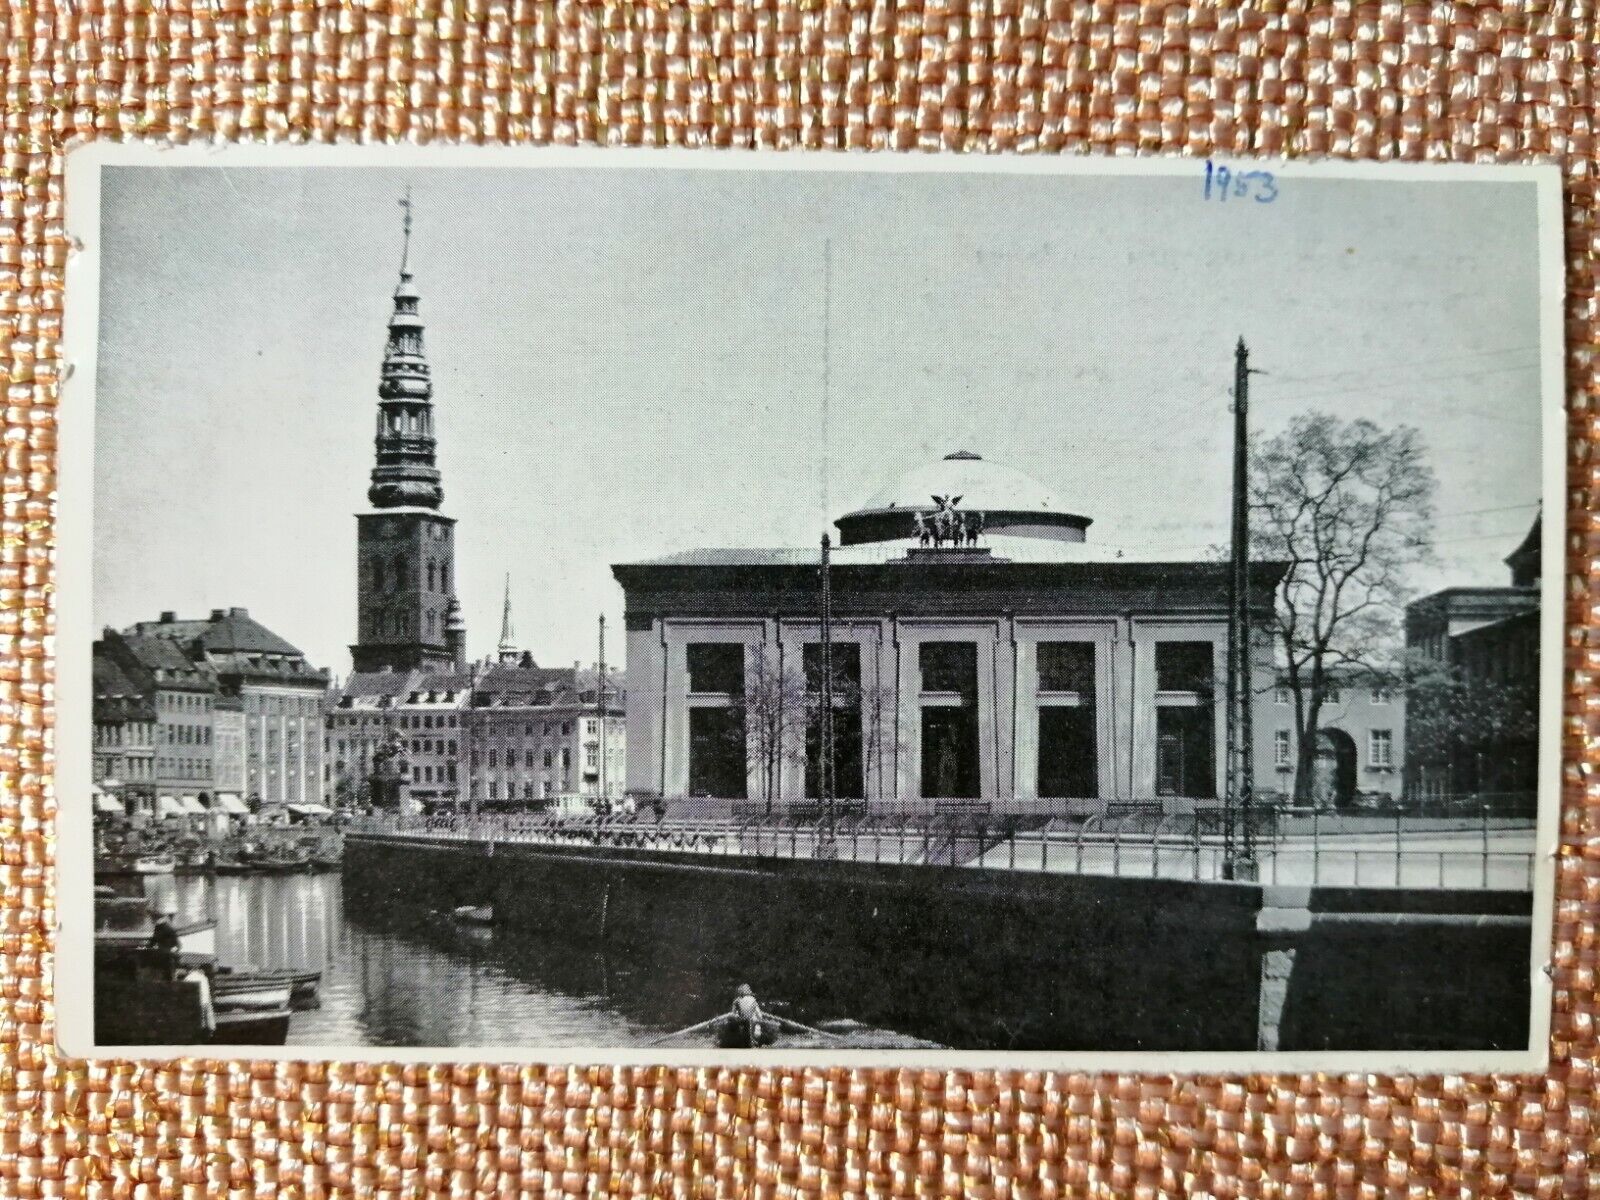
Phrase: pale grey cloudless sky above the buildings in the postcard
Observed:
(636, 362)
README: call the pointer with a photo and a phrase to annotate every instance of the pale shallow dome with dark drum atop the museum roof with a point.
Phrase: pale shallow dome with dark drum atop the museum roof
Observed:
(1012, 503)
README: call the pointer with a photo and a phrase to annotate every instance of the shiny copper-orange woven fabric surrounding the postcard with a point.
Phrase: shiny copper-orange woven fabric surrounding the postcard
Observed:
(1463, 82)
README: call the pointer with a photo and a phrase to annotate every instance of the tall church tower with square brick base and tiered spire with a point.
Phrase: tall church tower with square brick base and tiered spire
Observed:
(407, 612)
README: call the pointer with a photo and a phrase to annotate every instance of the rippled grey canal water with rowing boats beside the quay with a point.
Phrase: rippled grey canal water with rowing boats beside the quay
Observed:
(420, 980)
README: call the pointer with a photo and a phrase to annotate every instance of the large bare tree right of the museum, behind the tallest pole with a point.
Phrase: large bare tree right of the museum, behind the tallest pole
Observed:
(1350, 506)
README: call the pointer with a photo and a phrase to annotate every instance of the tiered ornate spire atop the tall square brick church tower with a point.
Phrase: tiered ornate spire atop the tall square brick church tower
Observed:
(406, 474)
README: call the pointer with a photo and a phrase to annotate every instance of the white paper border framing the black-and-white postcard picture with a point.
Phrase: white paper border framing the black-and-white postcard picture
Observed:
(74, 630)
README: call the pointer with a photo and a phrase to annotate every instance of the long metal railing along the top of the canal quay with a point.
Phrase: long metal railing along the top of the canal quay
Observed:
(1481, 852)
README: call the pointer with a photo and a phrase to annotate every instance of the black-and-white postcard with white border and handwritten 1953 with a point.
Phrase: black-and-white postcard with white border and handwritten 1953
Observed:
(809, 609)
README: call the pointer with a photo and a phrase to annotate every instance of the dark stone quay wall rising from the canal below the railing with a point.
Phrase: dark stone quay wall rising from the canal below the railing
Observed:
(998, 959)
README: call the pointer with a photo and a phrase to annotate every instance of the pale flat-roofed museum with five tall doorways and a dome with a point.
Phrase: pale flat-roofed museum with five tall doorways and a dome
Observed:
(985, 652)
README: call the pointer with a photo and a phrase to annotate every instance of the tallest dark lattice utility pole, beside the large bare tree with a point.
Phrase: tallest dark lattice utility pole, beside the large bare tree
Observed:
(1239, 858)
